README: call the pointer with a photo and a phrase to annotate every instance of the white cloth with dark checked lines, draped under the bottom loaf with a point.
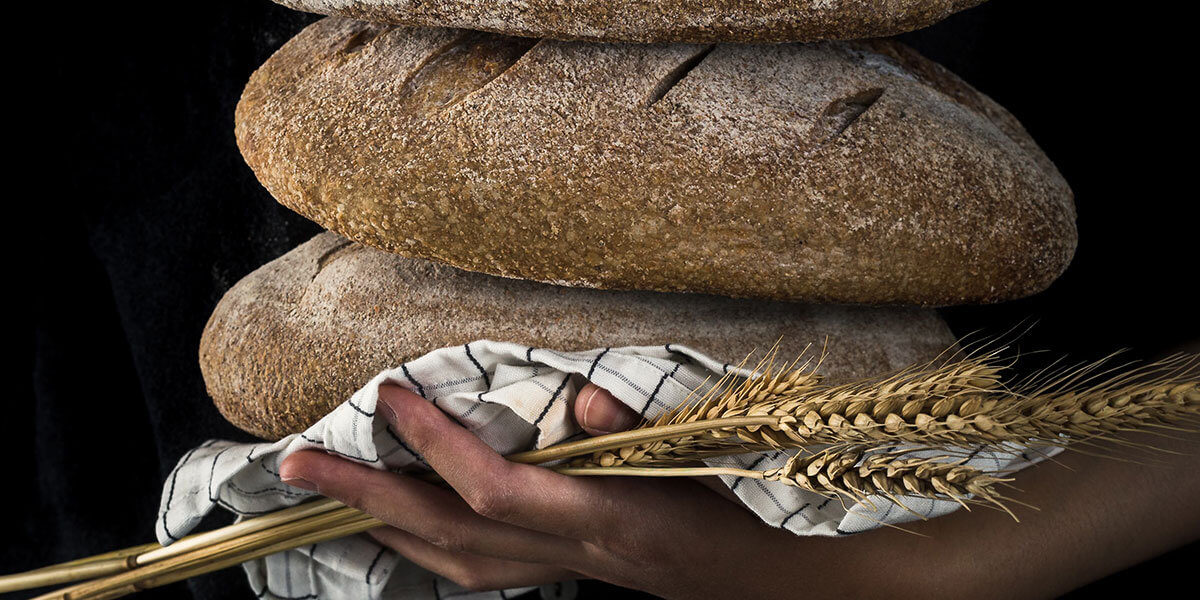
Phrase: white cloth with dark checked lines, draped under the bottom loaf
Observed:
(514, 398)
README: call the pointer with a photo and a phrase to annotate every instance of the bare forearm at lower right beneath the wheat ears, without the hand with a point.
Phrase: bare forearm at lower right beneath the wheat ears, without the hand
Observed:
(1097, 517)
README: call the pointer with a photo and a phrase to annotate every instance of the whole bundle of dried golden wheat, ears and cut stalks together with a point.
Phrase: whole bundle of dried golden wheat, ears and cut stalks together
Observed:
(940, 406)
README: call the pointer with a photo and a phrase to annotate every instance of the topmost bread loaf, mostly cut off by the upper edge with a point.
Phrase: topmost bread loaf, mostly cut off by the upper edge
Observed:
(656, 21)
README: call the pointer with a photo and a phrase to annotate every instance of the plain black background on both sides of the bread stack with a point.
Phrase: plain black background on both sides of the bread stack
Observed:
(143, 214)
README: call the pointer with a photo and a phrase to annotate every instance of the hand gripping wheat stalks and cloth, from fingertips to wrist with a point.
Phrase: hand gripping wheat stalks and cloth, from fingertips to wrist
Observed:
(515, 525)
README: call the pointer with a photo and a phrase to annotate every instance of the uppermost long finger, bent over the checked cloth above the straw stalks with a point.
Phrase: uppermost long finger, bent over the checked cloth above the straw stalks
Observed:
(521, 495)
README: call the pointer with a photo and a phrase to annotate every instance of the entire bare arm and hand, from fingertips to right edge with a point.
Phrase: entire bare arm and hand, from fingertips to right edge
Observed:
(517, 525)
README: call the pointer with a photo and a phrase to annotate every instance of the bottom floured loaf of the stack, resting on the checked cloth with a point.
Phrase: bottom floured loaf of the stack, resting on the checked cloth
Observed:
(301, 335)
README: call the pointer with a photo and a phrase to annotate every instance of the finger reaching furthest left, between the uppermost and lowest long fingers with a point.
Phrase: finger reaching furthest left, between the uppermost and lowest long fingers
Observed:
(425, 511)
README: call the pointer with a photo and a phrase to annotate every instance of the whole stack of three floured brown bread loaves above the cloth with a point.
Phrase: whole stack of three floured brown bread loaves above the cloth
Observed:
(477, 184)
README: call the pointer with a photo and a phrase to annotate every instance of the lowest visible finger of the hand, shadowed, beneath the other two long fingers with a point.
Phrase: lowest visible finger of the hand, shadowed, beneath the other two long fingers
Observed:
(472, 572)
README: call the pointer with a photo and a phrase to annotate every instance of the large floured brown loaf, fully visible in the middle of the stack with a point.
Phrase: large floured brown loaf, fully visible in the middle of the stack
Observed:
(838, 172)
